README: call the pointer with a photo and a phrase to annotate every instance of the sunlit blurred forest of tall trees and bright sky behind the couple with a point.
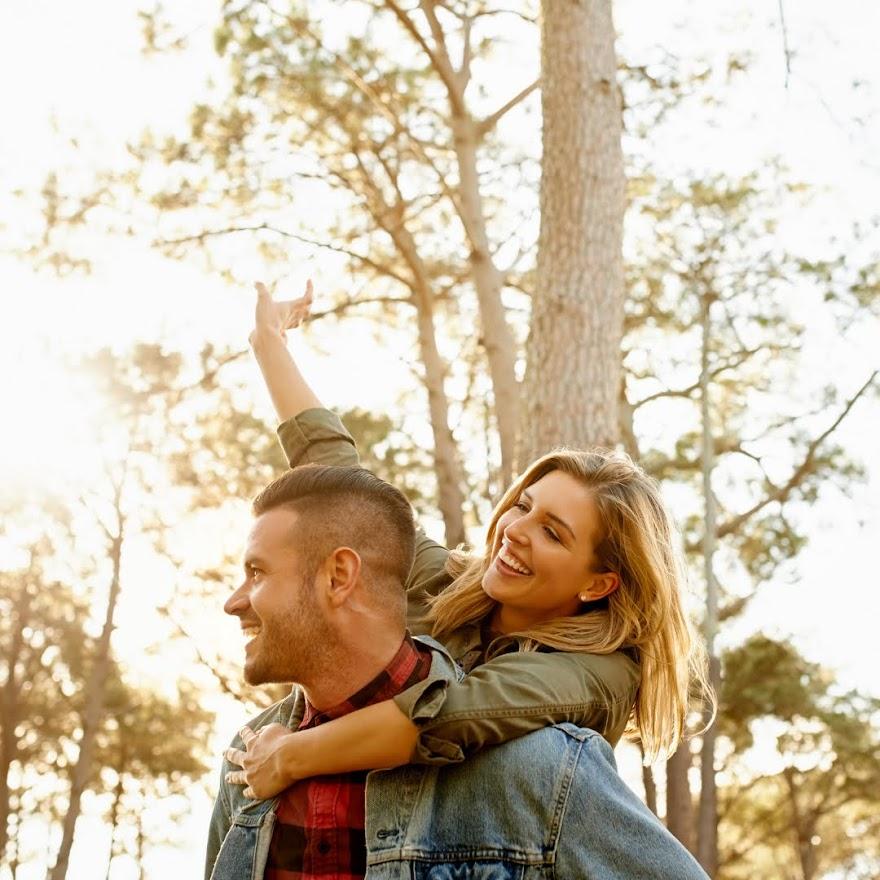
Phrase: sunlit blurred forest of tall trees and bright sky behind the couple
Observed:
(459, 200)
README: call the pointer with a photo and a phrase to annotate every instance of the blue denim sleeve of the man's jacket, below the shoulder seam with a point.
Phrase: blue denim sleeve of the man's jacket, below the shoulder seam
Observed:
(607, 831)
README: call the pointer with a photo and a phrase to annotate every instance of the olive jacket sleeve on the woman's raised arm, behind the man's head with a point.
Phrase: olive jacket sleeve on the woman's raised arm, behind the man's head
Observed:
(317, 436)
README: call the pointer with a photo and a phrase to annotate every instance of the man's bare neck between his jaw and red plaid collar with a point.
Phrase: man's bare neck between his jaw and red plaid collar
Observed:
(347, 671)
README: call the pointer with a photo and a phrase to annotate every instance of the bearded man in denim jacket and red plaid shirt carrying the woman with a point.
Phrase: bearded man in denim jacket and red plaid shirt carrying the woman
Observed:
(323, 604)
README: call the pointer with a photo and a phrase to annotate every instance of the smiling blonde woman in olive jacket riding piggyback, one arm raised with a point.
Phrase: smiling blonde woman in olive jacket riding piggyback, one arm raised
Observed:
(572, 613)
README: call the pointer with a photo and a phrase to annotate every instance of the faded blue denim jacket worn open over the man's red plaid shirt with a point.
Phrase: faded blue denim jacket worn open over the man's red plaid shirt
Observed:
(547, 805)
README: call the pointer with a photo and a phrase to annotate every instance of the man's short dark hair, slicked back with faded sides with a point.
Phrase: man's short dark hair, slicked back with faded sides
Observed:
(348, 507)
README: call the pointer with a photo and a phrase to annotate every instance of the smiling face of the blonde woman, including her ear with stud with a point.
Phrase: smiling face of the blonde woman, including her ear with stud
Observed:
(543, 554)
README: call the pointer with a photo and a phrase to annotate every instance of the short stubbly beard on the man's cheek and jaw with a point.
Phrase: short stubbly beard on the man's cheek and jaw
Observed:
(291, 647)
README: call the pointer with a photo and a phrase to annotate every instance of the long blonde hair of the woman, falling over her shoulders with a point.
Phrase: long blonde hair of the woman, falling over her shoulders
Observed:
(641, 545)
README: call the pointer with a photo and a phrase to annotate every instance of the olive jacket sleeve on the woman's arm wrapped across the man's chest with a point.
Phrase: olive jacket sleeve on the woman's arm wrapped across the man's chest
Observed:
(515, 694)
